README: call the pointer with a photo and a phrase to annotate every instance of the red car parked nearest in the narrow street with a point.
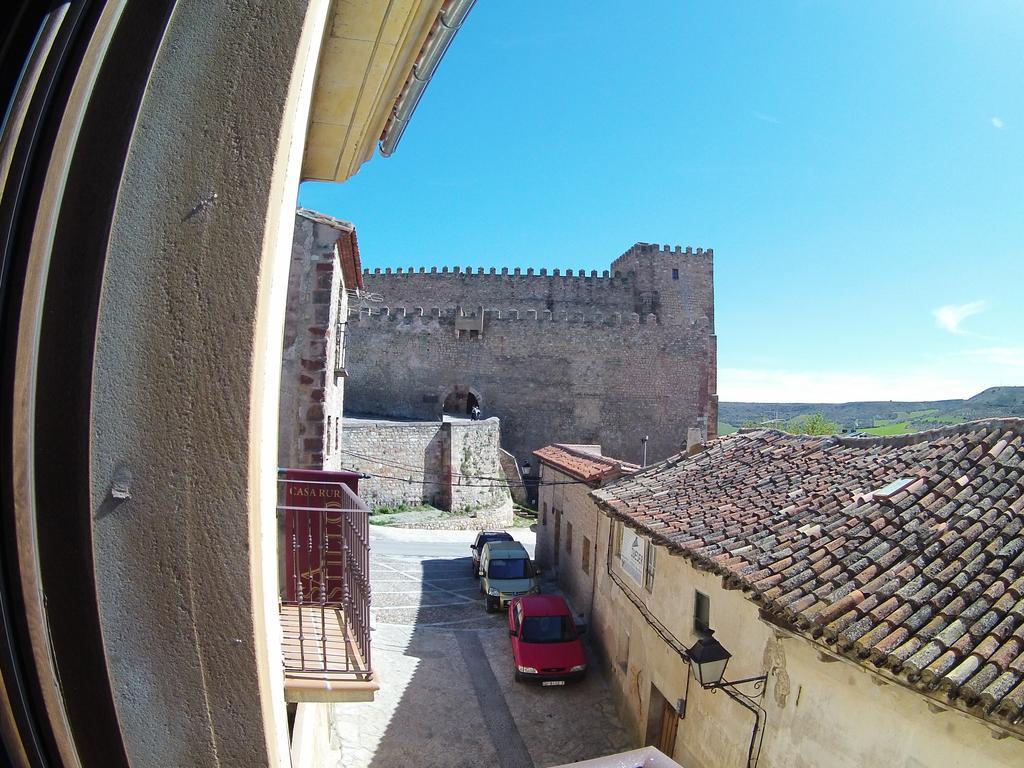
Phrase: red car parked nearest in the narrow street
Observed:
(545, 643)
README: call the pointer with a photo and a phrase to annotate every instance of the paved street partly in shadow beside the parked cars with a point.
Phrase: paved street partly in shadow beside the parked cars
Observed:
(448, 697)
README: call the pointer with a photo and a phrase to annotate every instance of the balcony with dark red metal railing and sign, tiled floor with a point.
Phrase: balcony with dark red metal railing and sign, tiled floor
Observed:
(326, 579)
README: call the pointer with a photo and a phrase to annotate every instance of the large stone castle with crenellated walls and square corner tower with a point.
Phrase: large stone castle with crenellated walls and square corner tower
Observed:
(578, 358)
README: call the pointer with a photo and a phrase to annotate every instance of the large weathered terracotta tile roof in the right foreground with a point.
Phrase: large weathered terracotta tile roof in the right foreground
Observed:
(925, 582)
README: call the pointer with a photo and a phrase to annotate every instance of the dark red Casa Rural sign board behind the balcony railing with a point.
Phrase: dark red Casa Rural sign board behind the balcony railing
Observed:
(314, 501)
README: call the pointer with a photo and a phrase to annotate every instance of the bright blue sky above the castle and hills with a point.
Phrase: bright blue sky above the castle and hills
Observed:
(859, 168)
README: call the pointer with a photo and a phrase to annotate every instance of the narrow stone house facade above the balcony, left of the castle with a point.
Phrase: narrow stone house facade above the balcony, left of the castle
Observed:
(325, 271)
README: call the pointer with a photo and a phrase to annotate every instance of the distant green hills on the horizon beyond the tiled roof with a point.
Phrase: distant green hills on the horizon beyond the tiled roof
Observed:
(881, 417)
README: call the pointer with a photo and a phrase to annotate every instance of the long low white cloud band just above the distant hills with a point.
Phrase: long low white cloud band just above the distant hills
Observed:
(767, 386)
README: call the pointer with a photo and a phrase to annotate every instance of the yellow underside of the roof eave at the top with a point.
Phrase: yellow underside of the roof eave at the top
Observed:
(369, 52)
